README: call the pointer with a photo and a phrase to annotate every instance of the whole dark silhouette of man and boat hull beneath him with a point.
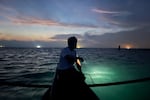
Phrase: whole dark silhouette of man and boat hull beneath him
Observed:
(68, 83)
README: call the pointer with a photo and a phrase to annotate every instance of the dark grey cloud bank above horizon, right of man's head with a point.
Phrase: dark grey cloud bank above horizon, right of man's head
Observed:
(137, 38)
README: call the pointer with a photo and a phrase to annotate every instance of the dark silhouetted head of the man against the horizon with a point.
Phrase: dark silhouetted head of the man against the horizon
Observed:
(72, 42)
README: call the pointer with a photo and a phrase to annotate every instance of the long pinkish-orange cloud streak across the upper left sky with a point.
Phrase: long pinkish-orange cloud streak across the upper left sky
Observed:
(26, 20)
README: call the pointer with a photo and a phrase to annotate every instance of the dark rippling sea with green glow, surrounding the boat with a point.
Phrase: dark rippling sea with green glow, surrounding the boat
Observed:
(37, 66)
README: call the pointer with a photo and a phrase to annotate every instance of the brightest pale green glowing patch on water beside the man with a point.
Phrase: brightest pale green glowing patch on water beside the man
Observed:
(98, 74)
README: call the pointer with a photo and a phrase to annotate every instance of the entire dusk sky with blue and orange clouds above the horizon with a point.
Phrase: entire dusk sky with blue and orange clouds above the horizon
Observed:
(96, 23)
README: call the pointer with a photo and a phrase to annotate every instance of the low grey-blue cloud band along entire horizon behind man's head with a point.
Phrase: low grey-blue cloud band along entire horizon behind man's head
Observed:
(137, 38)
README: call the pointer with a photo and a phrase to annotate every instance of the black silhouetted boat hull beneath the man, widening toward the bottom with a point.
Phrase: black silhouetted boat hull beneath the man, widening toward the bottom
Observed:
(74, 89)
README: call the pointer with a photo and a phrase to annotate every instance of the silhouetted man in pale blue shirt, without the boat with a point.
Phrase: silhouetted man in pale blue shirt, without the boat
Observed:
(68, 58)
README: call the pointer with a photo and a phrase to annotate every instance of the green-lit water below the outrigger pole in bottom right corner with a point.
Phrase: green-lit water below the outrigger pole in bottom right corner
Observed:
(135, 91)
